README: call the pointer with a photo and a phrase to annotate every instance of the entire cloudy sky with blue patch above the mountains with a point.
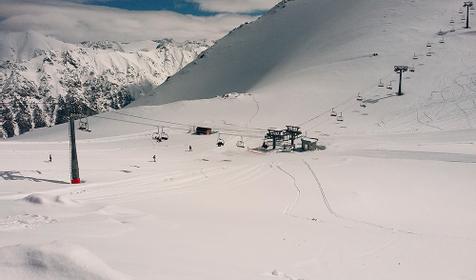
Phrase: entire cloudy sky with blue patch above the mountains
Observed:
(129, 20)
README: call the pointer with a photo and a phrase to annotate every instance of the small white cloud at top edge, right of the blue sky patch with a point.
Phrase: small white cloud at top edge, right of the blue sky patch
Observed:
(235, 6)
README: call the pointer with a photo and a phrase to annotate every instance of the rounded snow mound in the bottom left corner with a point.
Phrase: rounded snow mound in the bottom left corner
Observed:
(53, 261)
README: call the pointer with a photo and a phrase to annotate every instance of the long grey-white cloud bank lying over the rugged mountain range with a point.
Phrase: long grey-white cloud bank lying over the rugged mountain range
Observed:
(74, 22)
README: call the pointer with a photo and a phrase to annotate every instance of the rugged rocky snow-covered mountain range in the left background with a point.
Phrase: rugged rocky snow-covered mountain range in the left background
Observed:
(42, 79)
